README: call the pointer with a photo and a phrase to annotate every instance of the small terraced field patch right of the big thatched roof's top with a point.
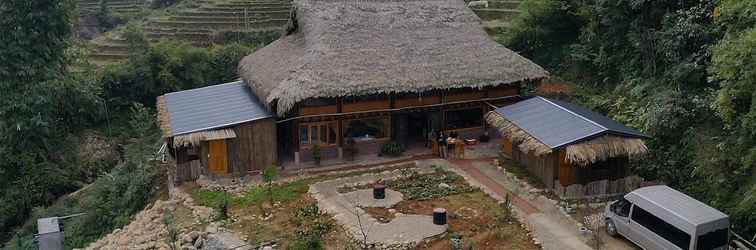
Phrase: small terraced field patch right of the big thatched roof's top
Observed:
(498, 14)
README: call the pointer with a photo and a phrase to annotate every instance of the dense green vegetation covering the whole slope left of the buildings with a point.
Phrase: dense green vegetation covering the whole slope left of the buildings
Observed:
(54, 103)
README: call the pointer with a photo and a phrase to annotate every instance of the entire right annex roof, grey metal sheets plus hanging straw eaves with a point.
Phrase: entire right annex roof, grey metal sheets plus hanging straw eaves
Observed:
(539, 125)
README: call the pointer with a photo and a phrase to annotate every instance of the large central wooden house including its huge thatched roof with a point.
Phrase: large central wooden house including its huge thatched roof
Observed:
(379, 71)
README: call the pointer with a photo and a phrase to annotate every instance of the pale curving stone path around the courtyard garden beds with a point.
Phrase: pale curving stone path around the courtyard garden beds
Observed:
(404, 230)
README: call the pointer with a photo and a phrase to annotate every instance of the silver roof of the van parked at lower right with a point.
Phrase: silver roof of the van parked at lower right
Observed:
(693, 212)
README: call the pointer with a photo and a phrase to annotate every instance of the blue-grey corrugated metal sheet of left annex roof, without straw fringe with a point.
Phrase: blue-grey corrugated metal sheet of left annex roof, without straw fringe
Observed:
(213, 107)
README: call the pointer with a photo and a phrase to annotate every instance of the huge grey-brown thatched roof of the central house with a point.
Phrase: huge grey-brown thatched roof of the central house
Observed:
(350, 48)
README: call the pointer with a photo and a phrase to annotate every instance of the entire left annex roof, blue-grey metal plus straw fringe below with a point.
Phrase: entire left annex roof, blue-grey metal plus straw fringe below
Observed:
(207, 113)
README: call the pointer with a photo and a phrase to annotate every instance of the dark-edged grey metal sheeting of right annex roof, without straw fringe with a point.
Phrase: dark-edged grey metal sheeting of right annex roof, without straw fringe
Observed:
(556, 123)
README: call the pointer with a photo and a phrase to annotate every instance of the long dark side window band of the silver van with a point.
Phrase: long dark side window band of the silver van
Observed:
(667, 231)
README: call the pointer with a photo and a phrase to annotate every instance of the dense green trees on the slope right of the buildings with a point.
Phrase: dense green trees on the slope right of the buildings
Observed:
(680, 71)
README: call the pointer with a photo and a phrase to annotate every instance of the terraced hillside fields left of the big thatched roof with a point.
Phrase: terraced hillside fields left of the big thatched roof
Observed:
(200, 23)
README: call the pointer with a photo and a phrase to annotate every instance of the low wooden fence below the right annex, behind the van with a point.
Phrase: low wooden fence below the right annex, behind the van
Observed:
(598, 189)
